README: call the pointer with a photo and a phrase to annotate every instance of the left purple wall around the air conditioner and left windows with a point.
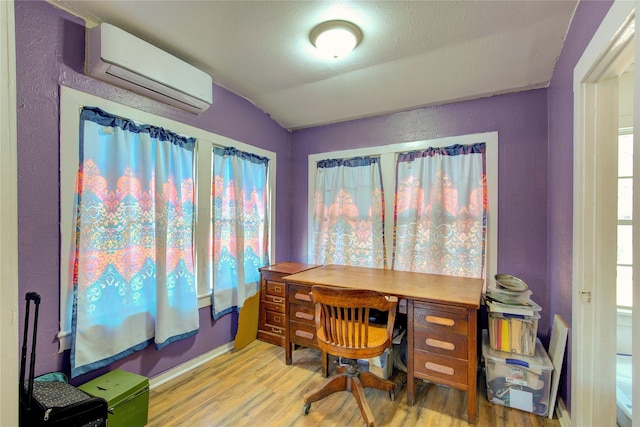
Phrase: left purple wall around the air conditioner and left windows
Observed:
(50, 52)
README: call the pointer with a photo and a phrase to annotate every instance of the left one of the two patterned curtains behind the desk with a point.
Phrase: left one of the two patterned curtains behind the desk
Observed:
(348, 213)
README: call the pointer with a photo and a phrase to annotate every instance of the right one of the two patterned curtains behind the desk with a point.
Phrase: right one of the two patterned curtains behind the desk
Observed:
(440, 211)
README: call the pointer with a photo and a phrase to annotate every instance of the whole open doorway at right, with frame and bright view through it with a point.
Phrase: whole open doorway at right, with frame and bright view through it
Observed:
(604, 293)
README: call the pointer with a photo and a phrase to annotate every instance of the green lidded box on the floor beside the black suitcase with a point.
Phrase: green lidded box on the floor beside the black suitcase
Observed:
(127, 396)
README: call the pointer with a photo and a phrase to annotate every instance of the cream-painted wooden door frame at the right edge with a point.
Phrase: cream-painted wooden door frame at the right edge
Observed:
(595, 129)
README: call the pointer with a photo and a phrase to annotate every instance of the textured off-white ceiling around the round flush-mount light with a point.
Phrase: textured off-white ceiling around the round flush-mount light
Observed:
(413, 53)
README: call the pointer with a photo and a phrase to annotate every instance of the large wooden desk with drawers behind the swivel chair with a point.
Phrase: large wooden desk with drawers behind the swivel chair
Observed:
(441, 321)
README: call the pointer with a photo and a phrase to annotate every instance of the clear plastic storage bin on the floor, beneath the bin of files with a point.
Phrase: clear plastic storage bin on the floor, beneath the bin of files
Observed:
(518, 382)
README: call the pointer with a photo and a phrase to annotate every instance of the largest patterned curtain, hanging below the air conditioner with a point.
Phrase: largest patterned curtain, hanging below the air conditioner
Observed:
(133, 271)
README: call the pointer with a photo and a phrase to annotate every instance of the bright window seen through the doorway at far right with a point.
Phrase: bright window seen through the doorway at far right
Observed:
(625, 227)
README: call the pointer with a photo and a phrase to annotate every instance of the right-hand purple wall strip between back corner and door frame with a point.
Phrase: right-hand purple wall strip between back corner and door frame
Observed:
(586, 20)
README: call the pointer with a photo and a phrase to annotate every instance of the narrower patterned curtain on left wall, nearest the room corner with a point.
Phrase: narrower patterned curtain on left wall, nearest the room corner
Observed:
(240, 227)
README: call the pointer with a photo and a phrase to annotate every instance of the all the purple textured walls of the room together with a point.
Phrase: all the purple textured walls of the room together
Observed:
(535, 131)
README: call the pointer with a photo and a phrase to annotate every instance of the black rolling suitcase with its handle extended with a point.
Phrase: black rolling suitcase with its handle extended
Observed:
(49, 400)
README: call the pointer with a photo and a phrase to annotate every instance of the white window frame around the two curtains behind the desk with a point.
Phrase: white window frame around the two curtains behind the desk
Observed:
(387, 158)
